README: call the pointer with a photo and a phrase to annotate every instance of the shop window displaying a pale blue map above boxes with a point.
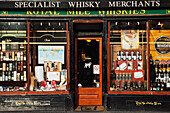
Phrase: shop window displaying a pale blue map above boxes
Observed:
(49, 56)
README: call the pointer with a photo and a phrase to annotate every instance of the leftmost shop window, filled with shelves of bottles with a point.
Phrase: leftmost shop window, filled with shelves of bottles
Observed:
(13, 56)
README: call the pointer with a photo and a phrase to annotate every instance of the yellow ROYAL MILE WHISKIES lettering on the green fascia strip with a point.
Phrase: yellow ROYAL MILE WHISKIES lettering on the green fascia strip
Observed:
(109, 12)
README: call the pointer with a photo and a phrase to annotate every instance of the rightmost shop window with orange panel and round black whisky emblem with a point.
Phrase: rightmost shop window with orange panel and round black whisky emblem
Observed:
(159, 55)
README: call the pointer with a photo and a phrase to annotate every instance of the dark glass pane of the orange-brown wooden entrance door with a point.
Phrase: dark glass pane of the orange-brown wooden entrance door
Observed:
(87, 57)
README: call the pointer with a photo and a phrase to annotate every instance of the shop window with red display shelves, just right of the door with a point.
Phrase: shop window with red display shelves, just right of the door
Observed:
(128, 50)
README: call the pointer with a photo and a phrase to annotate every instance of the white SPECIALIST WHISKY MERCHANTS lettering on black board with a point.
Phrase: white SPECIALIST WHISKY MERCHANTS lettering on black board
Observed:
(87, 4)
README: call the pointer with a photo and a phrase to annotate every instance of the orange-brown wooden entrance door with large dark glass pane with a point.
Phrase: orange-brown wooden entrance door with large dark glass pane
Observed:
(88, 71)
